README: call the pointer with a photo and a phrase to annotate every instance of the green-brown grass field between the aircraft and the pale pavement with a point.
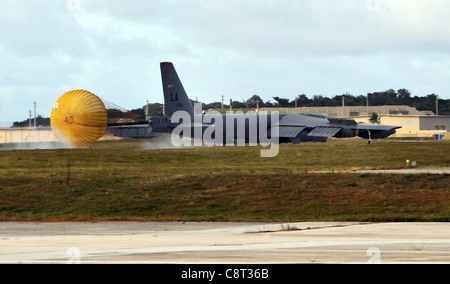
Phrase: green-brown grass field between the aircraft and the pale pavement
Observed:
(119, 181)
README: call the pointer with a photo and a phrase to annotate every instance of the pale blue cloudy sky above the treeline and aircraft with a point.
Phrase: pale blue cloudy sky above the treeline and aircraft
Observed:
(234, 48)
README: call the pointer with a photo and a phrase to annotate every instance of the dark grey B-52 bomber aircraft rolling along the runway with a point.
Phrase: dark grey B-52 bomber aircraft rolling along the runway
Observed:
(180, 119)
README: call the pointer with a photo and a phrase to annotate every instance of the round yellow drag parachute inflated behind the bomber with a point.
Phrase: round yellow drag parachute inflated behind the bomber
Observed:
(79, 118)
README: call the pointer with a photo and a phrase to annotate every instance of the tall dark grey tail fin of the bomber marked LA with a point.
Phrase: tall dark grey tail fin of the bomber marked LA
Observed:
(175, 97)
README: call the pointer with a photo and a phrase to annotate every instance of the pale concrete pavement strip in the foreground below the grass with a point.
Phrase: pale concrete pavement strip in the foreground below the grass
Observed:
(224, 243)
